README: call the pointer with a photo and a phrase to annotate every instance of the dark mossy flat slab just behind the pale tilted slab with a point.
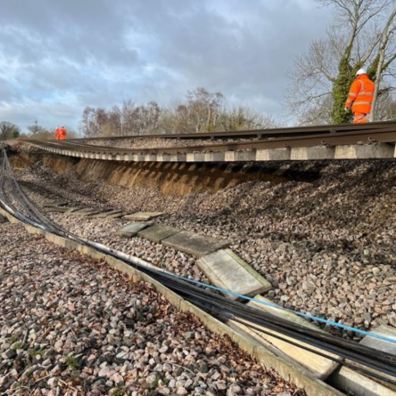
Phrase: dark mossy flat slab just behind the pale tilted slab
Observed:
(197, 245)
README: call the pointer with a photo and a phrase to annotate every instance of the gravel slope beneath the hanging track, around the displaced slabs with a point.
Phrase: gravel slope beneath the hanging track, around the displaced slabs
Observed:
(324, 237)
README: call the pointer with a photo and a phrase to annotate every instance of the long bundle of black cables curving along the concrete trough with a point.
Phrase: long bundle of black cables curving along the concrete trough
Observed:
(18, 204)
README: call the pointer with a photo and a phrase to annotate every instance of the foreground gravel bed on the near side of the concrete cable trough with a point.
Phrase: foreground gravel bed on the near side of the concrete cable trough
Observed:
(70, 325)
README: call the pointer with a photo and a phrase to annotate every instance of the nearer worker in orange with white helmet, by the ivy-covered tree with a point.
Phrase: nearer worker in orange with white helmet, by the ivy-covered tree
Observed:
(360, 97)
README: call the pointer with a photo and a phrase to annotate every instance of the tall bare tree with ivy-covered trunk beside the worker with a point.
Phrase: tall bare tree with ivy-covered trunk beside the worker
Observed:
(363, 30)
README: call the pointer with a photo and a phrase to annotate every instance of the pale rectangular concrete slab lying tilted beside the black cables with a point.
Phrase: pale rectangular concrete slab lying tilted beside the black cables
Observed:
(228, 271)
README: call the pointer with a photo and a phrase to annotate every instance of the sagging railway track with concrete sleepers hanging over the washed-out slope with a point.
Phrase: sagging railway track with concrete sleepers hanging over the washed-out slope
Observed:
(372, 141)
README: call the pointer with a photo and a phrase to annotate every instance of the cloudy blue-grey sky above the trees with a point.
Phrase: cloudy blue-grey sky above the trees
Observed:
(58, 56)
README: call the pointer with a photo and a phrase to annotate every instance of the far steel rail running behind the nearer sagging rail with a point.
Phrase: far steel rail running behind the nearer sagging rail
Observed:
(251, 133)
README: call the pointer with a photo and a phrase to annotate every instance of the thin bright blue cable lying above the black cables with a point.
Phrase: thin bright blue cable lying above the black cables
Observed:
(306, 315)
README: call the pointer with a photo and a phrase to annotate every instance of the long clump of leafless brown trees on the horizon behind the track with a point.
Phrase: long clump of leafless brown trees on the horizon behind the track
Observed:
(202, 111)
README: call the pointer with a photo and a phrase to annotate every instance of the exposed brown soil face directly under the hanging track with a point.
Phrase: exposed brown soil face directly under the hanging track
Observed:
(169, 178)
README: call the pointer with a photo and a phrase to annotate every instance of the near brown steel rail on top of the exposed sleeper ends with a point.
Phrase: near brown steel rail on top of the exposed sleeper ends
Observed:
(384, 135)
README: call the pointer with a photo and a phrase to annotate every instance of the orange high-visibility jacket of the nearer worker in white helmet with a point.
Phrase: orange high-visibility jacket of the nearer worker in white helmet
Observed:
(361, 95)
